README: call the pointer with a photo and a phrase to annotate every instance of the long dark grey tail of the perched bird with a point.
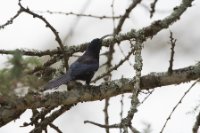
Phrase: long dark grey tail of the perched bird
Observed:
(63, 79)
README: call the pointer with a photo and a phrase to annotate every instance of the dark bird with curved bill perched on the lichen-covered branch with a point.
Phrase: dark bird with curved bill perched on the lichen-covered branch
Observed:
(82, 69)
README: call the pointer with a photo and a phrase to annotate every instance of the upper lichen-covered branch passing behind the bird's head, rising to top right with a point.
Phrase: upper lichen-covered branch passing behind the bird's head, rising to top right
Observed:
(144, 33)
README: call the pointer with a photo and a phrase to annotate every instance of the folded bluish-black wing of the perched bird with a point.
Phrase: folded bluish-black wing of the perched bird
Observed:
(78, 68)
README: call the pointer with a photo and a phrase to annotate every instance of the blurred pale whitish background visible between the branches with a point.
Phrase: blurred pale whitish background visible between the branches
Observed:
(30, 33)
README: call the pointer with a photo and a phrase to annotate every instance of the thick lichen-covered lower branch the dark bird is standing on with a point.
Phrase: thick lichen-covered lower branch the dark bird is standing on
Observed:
(108, 89)
